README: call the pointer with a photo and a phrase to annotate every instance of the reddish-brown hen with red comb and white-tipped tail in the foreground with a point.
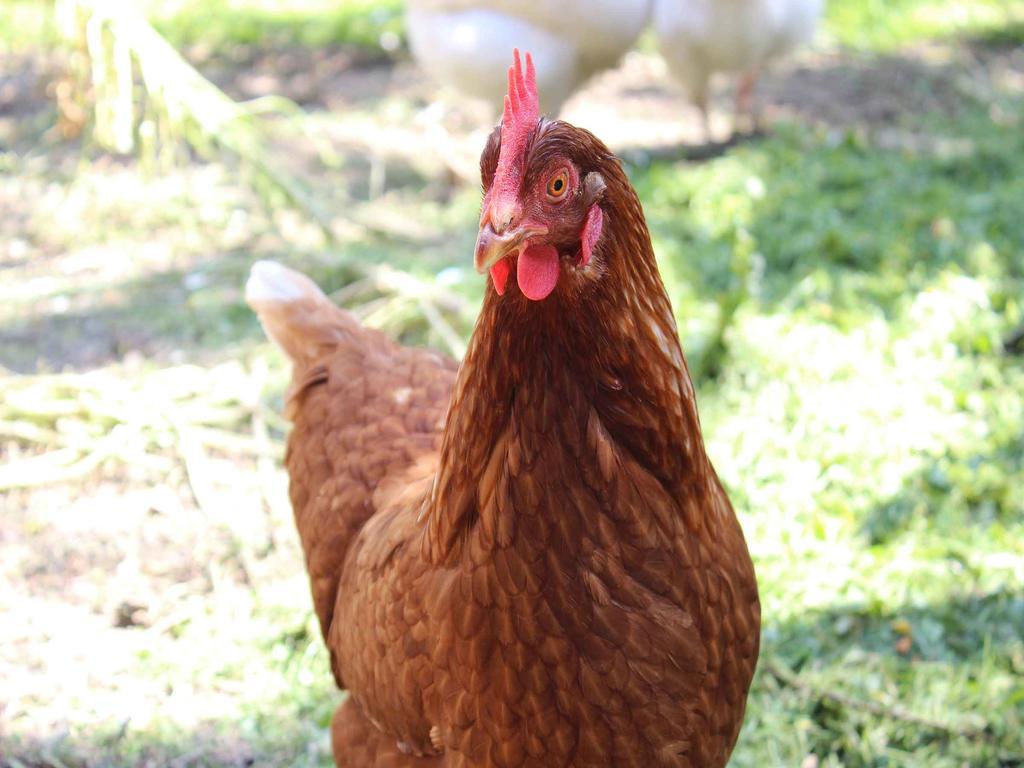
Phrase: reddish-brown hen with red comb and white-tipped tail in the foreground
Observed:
(527, 560)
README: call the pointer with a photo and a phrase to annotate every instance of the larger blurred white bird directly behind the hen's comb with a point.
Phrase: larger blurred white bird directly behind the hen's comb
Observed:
(466, 44)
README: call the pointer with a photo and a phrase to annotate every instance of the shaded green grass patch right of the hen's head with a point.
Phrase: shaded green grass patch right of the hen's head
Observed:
(863, 222)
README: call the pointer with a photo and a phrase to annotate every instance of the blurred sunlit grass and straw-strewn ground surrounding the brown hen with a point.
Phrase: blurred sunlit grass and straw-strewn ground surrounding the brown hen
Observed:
(850, 291)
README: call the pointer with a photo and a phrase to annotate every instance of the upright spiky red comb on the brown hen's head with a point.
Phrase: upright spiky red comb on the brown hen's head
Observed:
(519, 121)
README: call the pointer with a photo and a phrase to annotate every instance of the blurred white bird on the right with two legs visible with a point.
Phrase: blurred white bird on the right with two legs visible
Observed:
(699, 38)
